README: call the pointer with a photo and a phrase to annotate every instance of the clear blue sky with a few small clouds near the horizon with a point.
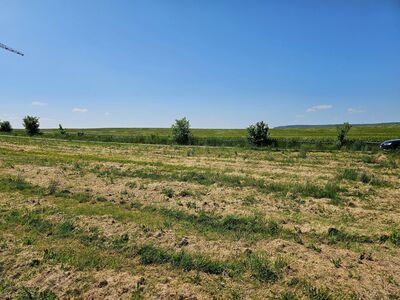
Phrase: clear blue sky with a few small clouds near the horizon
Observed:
(222, 64)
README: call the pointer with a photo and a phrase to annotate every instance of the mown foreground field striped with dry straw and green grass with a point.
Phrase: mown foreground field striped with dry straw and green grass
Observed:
(121, 221)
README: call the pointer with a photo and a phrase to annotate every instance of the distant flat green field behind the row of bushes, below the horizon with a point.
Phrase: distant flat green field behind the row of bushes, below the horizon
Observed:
(366, 133)
